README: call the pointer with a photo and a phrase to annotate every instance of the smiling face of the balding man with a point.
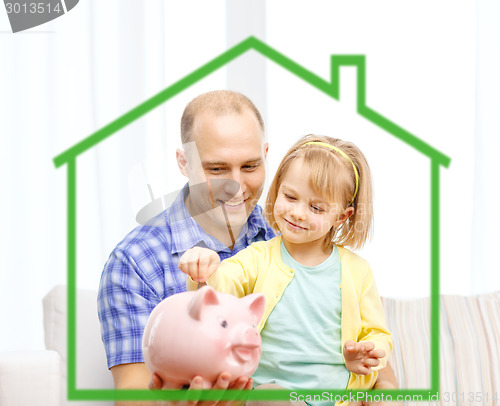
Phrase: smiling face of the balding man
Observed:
(230, 170)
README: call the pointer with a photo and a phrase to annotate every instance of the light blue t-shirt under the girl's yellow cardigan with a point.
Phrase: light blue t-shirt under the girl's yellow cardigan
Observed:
(301, 340)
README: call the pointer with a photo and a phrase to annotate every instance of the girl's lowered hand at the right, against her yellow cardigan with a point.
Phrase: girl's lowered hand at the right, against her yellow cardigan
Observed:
(361, 357)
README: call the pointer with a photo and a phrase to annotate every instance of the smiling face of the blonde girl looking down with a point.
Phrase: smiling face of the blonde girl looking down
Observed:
(302, 216)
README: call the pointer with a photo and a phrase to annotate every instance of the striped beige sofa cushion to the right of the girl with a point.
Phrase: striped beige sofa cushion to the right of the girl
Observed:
(469, 345)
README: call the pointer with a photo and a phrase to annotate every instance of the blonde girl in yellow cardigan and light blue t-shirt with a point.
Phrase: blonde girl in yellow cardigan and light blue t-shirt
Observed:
(323, 326)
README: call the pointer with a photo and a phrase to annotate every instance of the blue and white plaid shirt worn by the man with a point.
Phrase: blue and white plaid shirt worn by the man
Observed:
(143, 270)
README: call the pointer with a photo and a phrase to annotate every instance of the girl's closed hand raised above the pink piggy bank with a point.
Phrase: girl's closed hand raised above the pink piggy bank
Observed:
(199, 263)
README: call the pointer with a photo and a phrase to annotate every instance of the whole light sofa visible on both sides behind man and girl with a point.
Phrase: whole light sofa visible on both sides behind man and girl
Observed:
(470, 351)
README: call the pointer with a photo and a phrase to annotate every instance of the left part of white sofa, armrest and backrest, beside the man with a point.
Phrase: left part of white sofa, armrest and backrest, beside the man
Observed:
(46, 370)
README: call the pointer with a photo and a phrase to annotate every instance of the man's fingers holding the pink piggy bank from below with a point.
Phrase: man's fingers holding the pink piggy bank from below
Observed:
(223, 382)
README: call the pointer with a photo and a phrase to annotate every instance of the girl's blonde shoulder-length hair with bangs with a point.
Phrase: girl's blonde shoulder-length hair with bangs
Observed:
(332, 176)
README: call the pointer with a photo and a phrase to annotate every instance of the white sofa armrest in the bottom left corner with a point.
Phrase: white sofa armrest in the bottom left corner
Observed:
(30, 378)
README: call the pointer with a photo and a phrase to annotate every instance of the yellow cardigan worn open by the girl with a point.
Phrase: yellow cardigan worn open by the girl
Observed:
(260, 269)
